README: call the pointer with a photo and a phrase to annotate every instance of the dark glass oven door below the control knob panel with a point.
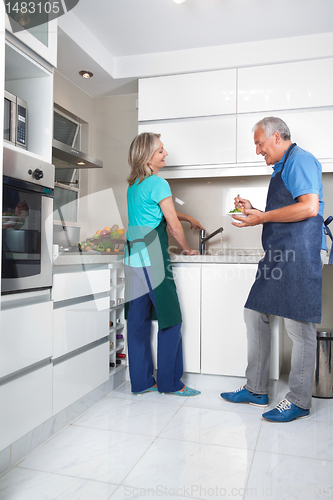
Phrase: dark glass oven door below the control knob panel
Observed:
(27, 222)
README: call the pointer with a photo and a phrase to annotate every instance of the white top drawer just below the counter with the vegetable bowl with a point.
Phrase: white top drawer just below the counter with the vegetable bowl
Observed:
(71, 285)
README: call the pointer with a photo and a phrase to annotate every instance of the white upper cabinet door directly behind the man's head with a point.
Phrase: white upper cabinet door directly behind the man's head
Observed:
(305, 126)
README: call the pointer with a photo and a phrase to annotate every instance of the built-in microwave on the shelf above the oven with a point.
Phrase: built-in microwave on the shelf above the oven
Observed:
(15, 120)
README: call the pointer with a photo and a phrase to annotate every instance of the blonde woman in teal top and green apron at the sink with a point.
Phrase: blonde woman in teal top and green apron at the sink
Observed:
(151, 291)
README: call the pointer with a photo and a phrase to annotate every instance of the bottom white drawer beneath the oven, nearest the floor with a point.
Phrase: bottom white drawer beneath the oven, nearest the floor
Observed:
(25, 403)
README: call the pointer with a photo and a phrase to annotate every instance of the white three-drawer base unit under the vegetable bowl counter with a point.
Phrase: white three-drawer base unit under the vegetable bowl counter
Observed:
(81, 332)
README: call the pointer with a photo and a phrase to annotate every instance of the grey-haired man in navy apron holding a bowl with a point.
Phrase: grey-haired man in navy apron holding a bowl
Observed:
(289, 278)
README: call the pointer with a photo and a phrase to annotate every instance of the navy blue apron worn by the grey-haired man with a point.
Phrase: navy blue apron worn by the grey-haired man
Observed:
(289, 277)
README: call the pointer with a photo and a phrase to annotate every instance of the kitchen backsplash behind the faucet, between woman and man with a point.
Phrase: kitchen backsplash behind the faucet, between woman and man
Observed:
(209, 201)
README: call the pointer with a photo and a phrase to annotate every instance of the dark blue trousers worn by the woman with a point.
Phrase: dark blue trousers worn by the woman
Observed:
(169, 347)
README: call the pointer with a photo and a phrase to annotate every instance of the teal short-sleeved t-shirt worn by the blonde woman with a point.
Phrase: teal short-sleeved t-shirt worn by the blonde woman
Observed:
(144, 214)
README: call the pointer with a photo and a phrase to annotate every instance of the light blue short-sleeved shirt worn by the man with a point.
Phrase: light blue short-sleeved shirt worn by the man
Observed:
(302, 174)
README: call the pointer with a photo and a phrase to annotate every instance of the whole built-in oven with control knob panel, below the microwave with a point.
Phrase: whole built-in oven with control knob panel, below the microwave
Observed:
(27, 222)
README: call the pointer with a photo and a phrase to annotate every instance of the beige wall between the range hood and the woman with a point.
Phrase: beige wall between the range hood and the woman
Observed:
(112, 123)
